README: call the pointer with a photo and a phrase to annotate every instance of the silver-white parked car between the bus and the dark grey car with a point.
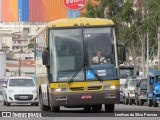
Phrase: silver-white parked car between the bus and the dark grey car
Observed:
(129, 90)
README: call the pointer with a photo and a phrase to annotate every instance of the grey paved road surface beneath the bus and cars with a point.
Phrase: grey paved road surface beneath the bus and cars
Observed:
(118, 107)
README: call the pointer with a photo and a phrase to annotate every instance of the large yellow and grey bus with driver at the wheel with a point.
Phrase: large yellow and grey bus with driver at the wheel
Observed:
(77, 65)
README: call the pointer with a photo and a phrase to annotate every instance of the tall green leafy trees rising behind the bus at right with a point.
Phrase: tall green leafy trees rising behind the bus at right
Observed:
(131, 24)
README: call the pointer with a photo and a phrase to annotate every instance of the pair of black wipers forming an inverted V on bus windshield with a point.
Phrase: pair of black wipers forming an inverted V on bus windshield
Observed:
(89, 68)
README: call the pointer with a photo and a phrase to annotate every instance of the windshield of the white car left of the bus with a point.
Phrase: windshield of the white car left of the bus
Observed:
(21, 82)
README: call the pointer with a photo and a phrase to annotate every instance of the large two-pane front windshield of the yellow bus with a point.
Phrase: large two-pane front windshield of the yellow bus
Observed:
(74, 50)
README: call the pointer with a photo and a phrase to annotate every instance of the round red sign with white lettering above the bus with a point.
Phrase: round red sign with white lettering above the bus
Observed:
(74, 4)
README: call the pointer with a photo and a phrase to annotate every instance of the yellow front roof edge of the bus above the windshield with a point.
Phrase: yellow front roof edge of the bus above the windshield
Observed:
(70, 22)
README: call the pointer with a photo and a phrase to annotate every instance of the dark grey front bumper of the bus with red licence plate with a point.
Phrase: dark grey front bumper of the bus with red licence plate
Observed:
(85, 98)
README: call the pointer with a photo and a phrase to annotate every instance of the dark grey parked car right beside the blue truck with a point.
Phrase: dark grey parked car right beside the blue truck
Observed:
(141, 92)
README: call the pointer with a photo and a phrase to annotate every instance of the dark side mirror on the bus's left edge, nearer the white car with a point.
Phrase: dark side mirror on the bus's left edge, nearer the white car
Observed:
(45, 57)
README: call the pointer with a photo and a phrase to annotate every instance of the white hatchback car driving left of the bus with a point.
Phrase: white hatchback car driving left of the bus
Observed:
(20, 90)
